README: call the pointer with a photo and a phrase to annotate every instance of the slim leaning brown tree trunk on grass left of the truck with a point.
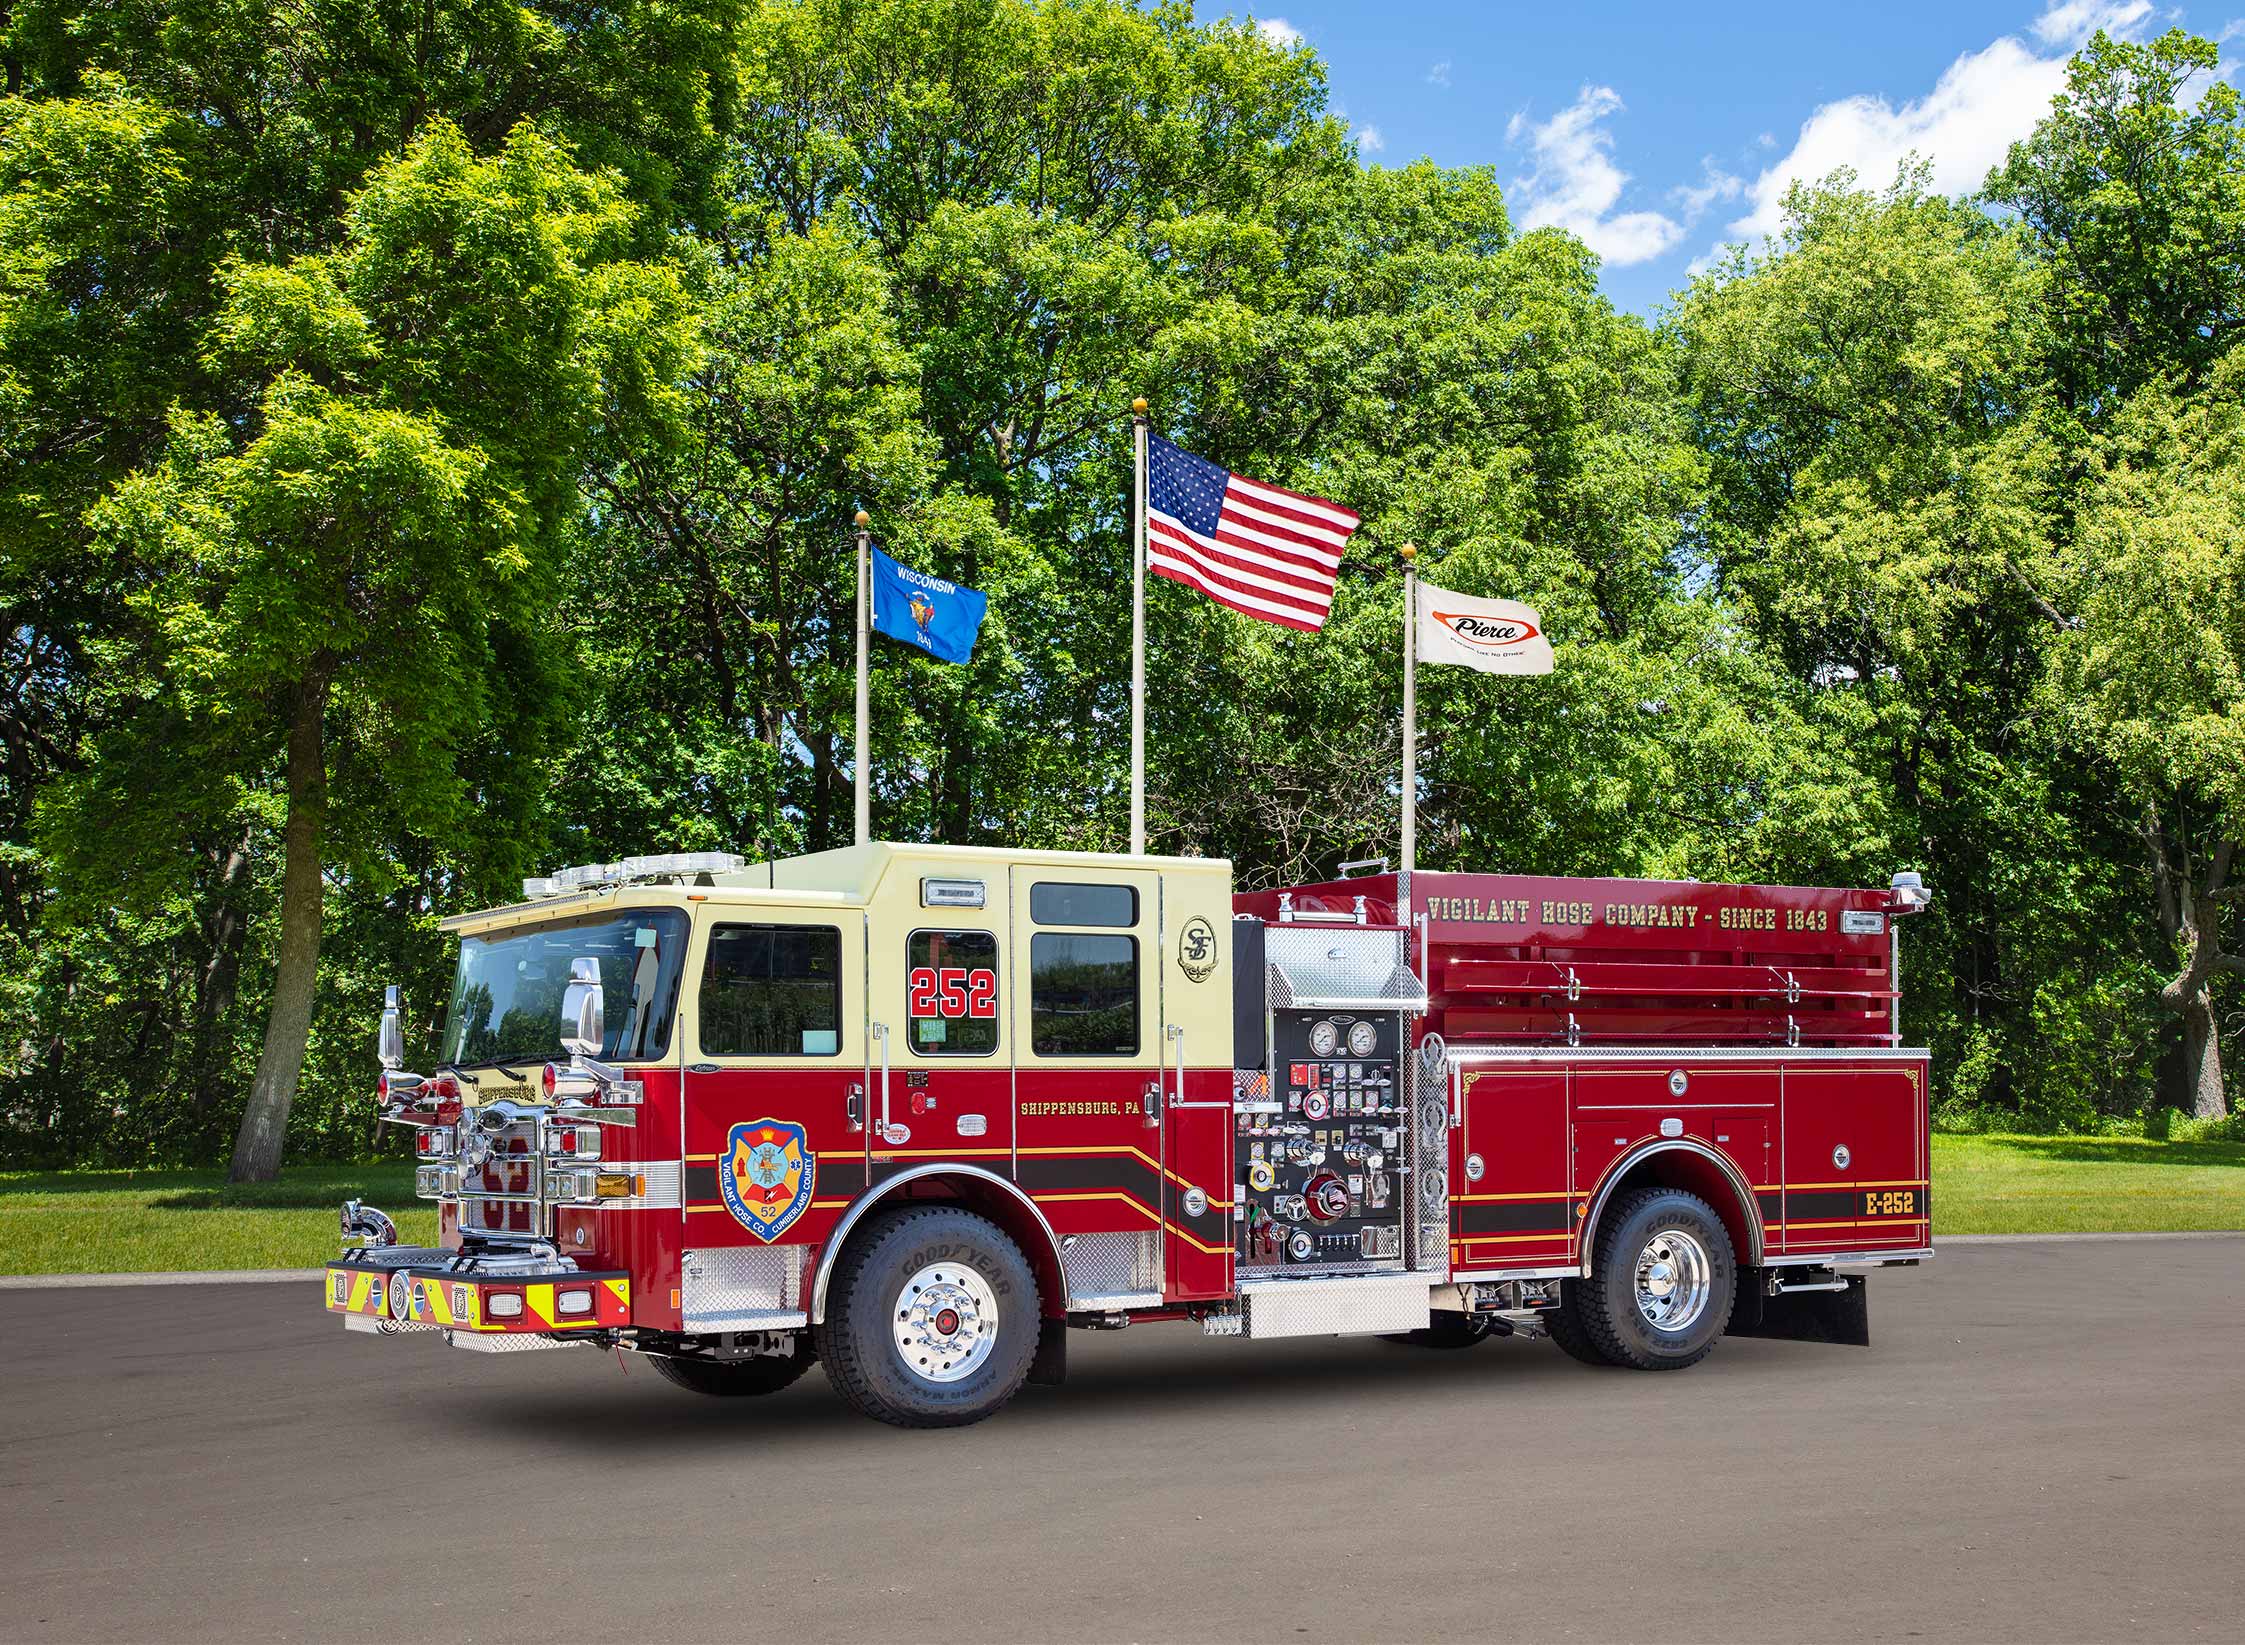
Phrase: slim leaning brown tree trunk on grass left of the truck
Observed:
(288, 1022)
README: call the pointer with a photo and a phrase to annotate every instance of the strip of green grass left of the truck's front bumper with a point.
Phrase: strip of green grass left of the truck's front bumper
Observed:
(156, 1222)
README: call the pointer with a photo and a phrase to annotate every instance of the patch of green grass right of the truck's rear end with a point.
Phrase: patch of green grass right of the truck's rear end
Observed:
(2084, 1186)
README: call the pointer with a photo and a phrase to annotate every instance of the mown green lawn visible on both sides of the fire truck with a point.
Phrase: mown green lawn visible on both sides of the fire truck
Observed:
(152, 1222)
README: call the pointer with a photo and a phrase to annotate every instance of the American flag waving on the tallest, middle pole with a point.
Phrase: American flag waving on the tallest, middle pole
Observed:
(1245, 544)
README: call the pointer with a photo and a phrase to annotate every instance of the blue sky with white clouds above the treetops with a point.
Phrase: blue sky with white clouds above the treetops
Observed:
(1662, 131)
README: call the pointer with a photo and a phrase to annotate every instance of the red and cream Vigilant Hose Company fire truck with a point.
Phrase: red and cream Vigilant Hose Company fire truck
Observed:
(922, 1110)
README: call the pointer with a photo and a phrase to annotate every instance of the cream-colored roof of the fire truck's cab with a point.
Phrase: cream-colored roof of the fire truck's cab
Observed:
(850, 876)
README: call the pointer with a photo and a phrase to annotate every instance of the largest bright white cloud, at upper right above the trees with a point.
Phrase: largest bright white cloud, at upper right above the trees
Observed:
(1965, 127)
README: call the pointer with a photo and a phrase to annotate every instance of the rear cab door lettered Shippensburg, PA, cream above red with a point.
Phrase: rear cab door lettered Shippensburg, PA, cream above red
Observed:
(1090, 1054)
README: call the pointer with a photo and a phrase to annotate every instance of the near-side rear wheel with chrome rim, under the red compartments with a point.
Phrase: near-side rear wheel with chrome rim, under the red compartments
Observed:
(1662, 1287)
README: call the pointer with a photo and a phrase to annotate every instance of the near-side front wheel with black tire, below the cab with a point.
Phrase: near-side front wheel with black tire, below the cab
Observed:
(861, 1343)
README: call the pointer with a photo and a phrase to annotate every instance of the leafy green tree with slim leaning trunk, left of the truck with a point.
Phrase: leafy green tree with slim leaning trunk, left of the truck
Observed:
(356, 564)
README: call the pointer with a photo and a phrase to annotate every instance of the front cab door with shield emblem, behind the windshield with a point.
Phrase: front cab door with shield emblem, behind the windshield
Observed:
(776, 1096)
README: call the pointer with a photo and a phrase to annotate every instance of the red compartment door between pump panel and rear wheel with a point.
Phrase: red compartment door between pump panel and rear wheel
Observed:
(1510, 1170)
